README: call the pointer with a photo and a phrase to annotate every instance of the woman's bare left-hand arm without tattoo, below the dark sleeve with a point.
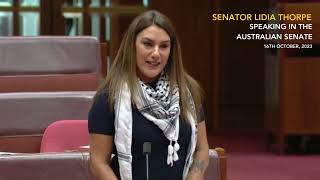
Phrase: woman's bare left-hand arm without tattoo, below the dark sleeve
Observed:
(100, 155)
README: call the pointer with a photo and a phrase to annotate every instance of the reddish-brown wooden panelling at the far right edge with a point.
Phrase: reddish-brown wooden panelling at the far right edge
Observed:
(294, 107)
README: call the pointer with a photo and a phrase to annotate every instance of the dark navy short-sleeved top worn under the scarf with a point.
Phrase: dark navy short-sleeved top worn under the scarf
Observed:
(101, 121)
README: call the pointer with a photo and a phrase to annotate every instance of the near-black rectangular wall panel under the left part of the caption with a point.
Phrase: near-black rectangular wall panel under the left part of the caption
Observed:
(241, 71)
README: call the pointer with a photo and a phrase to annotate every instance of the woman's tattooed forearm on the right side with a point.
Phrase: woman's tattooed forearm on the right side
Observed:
(201, 155)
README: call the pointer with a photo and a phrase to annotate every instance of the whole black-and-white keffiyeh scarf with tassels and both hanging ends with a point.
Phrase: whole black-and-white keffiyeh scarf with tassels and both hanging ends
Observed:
(159, 105)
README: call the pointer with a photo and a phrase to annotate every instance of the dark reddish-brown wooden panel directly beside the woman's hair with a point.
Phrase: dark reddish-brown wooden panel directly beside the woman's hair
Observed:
(192, 20)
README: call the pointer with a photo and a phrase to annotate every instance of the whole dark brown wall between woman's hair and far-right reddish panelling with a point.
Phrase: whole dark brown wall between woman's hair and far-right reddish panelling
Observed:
(230, 71)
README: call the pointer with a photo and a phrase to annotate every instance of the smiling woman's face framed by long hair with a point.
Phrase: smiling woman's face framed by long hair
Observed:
(152, 50)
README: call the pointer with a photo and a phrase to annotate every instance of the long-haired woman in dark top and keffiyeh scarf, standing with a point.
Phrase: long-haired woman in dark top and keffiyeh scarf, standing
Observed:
(148, 97)
